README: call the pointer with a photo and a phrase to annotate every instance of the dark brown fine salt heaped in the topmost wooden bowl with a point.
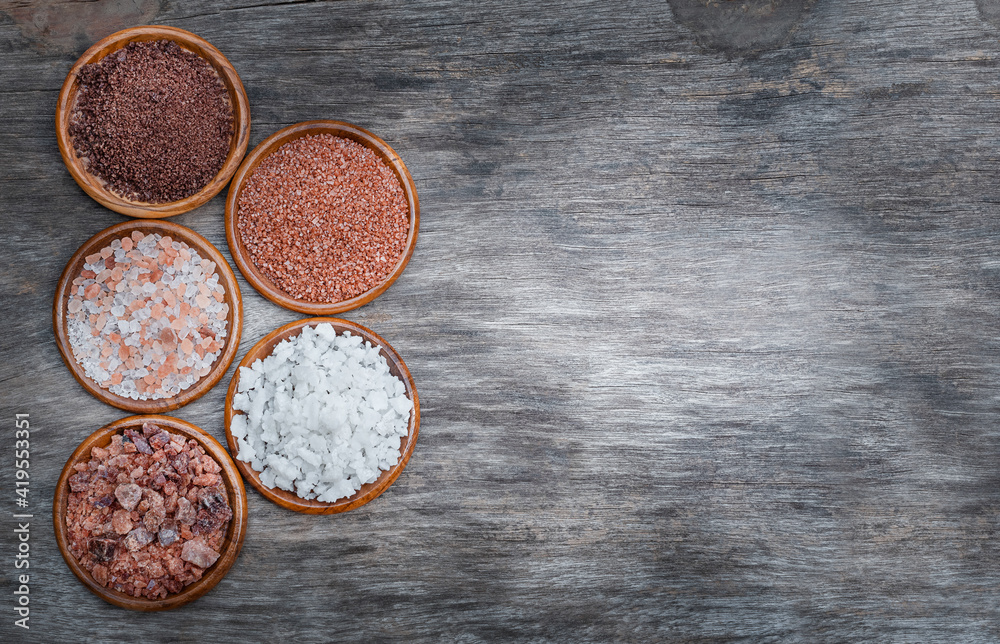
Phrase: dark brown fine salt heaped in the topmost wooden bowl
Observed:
(153, 121)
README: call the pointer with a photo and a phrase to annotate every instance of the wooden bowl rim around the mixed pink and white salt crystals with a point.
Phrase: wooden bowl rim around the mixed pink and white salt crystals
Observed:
(234, 322)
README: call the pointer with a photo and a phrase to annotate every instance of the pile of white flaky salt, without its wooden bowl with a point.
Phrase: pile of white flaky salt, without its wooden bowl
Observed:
(323, 414)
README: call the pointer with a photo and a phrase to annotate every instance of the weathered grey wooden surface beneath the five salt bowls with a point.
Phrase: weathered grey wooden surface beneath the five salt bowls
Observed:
(702, 316)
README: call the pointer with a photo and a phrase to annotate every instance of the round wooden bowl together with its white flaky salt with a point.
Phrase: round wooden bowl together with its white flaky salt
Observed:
(322, 415)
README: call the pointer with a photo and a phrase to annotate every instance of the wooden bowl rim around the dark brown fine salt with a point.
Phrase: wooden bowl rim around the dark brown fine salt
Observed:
(94, 186)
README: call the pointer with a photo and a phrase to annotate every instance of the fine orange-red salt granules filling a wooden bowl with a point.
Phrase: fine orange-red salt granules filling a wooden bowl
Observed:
(324, 218)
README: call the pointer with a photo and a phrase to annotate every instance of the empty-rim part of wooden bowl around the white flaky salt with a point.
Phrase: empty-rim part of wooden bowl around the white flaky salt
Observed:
(368, 491)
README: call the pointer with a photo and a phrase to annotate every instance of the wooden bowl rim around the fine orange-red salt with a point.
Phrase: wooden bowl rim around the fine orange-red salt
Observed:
(265, 286)
